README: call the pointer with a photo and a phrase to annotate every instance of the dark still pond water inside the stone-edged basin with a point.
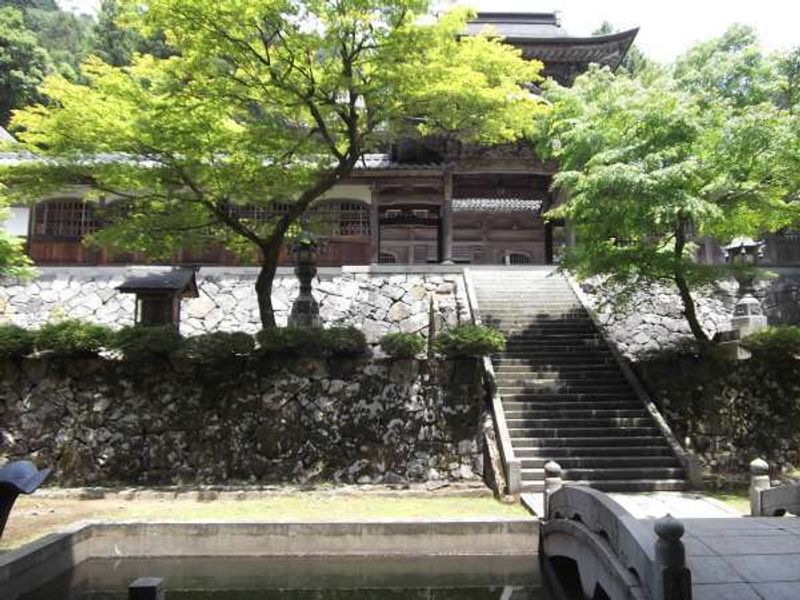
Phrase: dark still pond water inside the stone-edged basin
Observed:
(343, 578)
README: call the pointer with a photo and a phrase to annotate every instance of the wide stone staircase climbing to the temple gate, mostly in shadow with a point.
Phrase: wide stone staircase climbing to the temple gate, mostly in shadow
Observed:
(564, 395)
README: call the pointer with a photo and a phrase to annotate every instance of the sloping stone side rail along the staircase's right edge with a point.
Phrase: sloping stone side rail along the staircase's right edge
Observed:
(687, 460)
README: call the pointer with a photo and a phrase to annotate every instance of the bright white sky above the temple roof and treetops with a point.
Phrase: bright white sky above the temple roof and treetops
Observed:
(667, 27)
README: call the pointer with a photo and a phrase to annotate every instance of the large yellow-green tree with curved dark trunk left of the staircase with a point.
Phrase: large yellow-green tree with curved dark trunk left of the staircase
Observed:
(267, 105)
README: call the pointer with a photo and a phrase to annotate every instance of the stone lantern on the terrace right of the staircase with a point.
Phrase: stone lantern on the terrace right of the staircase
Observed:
(748, 316)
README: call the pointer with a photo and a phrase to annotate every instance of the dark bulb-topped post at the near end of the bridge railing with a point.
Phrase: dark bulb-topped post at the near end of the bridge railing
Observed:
(675, 579)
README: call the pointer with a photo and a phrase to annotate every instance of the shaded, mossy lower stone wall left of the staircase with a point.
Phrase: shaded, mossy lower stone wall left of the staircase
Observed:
(103, 422)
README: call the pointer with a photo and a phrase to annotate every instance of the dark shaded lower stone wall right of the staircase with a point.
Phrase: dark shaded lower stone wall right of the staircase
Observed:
(729, 412)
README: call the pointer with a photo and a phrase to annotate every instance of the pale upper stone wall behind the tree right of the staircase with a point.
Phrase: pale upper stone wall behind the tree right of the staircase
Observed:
(653, 321)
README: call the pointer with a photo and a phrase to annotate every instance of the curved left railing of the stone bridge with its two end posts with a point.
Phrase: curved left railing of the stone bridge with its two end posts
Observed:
(655, 557)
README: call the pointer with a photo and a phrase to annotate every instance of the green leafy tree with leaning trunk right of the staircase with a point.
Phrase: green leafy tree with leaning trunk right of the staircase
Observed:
(652, 165)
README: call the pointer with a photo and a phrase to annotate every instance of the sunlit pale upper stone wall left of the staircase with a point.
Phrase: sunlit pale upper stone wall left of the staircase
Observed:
(377, 302)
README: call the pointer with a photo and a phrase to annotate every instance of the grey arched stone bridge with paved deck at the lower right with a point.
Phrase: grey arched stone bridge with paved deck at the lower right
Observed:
(592, 547)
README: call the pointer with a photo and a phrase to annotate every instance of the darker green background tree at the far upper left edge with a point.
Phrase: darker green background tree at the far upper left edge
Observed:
(23, 63)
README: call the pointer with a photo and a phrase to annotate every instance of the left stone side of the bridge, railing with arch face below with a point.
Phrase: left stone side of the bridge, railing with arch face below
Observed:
(614, 549)
